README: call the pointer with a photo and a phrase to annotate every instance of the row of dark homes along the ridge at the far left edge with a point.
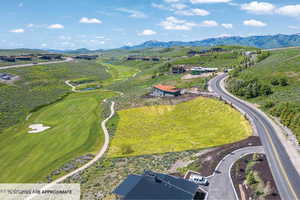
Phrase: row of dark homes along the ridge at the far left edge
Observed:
(31, 57)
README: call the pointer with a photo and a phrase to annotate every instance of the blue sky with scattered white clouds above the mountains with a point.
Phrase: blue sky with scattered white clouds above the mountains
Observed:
(104, 24)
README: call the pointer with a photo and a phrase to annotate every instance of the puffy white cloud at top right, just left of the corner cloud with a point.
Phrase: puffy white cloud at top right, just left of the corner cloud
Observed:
(258, 7)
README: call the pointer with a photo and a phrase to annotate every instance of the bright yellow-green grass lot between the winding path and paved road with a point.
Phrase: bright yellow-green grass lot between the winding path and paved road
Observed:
(196, 124)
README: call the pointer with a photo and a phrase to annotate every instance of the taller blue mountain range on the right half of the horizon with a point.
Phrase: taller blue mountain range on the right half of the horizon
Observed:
(264, 42)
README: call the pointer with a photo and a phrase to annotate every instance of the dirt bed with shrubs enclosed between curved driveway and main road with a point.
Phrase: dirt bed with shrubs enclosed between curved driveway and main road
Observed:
(263, 187)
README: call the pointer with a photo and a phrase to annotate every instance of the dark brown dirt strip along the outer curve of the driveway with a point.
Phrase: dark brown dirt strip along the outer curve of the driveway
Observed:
(208, 162)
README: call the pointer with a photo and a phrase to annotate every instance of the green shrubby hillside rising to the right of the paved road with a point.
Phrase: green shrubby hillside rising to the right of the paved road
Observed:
(284, 102)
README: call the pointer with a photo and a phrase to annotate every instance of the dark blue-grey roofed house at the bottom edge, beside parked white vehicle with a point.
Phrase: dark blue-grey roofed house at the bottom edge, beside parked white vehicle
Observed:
(154, 186)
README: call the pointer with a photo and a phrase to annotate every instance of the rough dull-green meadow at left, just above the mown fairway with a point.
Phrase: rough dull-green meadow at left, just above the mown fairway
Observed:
(41, 85)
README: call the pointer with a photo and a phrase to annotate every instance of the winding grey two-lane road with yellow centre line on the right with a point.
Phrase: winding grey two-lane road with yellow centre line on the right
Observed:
(284, 172)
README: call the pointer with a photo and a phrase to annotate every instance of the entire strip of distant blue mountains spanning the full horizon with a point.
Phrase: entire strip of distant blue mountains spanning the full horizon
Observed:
(264, 42)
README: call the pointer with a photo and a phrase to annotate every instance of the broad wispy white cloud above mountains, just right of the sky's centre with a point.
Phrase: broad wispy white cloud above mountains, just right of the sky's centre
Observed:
(172, 23)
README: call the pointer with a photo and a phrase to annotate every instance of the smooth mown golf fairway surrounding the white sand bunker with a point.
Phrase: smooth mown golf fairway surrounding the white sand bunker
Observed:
(75, 131)
